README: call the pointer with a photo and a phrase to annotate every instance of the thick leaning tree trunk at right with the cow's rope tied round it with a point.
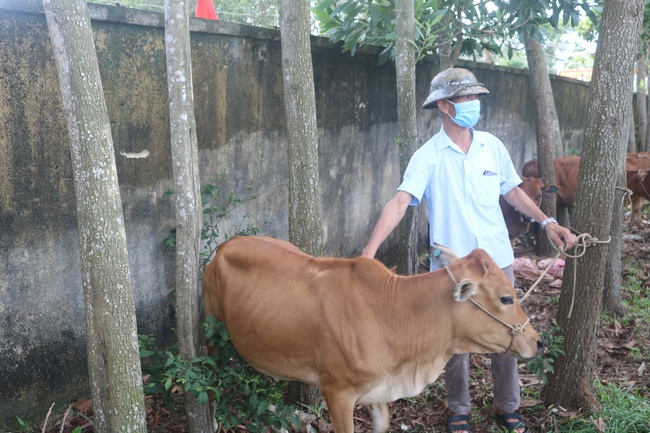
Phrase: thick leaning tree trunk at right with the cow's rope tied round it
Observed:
(571, 385)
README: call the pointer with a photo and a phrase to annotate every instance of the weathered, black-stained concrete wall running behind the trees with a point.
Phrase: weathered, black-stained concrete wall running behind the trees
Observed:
(241, 132)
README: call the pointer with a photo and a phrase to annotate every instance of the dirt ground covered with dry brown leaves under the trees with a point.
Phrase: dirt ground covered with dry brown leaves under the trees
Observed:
(427, 413)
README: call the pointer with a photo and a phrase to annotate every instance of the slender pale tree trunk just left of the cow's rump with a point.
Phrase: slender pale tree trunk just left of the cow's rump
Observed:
(189, 211)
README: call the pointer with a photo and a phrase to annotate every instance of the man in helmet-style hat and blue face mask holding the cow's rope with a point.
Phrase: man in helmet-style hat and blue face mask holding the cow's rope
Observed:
(460, 173)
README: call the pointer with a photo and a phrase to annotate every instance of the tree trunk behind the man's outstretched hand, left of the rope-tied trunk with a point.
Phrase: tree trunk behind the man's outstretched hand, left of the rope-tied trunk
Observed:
(549, 139)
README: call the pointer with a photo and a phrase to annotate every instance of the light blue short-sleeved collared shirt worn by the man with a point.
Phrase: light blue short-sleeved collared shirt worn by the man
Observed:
(462, 193)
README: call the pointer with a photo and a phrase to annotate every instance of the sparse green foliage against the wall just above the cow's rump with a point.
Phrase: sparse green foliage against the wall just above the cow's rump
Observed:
(218, 208)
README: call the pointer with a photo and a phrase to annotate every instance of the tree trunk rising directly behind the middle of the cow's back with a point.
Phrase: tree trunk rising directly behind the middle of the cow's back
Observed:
(305, 225)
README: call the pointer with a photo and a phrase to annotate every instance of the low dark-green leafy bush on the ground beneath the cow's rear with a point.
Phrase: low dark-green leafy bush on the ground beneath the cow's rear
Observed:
(242, 396)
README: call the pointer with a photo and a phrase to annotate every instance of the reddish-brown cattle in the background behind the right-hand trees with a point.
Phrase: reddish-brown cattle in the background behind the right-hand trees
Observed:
(637, 166)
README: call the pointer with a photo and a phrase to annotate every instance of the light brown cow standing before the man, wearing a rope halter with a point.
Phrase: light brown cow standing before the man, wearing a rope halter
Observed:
(359, 332)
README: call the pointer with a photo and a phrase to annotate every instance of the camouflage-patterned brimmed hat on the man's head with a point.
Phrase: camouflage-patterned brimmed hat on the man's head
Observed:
(452, 83)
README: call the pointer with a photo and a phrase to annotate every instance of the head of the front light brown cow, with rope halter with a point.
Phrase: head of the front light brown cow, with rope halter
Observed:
(490, 319)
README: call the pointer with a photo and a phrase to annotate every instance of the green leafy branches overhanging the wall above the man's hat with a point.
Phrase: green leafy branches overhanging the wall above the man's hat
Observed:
(466, 26)
